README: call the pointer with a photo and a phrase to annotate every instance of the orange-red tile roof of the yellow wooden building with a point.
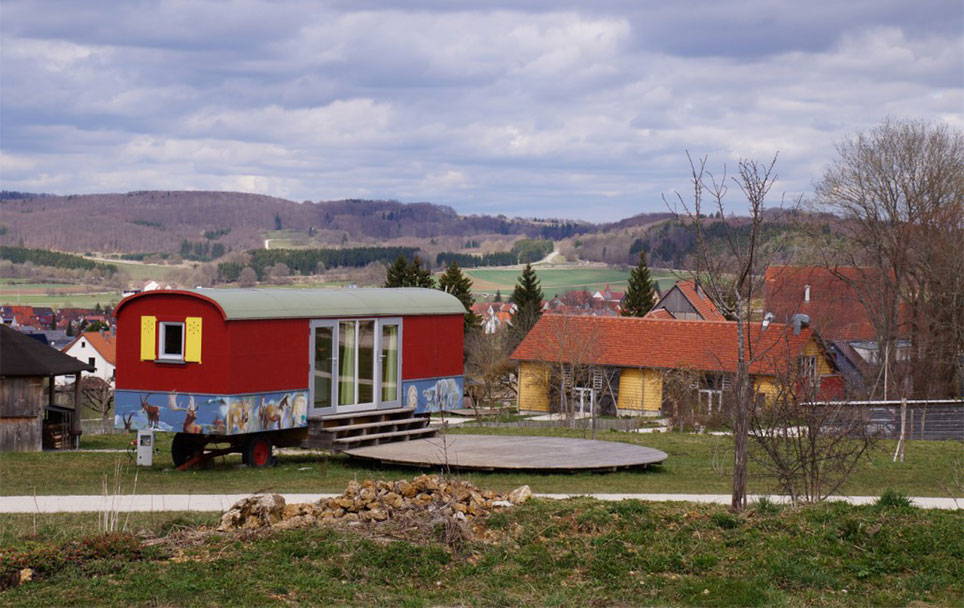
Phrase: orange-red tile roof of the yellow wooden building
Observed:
(642, 342)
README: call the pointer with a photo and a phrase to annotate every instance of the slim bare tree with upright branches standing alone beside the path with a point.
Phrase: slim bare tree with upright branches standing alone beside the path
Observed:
(731, 277)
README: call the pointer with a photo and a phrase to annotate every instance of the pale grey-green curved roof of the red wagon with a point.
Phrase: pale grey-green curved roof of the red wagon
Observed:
(315, 303)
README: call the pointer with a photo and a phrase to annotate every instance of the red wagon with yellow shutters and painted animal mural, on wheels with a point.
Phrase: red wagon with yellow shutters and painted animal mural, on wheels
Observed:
(260, 367)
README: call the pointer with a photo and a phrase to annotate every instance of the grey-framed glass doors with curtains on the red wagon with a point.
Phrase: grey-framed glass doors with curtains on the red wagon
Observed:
(355, 364)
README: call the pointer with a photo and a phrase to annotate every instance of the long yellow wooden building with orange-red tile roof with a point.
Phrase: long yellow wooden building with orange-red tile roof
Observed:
(628, 357)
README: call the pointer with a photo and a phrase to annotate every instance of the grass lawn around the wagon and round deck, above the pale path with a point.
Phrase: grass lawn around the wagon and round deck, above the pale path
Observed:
(689, 469)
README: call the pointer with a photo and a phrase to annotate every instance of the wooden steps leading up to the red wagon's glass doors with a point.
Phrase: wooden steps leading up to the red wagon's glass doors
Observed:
(373, 427)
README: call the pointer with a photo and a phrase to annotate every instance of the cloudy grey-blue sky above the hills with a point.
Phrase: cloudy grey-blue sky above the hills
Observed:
(525, 107)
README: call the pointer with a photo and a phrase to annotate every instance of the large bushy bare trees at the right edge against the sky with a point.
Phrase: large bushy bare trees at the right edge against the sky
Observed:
(899, 189)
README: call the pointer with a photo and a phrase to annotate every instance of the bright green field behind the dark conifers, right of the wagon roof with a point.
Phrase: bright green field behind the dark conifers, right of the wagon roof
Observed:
(557, 281)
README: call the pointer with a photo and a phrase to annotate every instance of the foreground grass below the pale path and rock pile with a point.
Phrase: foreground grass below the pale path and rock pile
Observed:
(542, 553)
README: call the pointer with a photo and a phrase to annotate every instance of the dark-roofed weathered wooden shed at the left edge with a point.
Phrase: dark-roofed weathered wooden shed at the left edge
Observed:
(27, 416)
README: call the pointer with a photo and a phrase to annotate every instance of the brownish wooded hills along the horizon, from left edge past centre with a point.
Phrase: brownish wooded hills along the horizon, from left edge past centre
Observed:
(191, 223)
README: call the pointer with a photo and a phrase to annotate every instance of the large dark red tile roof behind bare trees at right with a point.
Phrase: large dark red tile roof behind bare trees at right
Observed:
(835, 307)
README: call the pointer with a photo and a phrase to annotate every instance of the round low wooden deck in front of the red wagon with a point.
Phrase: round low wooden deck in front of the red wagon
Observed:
(511, 453)
